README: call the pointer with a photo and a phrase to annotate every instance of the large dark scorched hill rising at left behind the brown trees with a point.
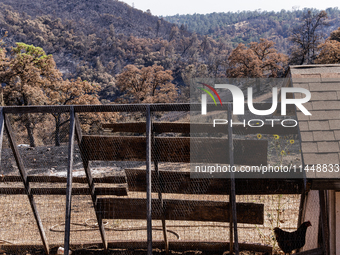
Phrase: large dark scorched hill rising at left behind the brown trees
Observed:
(96, 40)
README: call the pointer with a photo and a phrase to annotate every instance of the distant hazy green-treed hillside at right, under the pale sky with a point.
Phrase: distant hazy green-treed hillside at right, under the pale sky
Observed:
(250, 26)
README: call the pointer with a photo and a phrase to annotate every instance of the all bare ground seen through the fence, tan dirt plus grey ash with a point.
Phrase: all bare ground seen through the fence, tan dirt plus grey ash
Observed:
(18, 227)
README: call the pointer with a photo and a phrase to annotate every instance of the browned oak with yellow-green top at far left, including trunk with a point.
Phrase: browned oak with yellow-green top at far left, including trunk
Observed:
(28, 75)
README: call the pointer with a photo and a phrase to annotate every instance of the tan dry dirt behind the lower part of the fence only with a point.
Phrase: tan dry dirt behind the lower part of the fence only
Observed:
(18, 226)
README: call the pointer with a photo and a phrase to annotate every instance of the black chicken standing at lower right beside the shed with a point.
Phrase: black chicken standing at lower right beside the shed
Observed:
(289, 241)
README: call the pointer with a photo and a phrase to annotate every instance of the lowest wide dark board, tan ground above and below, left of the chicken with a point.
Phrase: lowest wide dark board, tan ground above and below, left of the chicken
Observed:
(185, 210)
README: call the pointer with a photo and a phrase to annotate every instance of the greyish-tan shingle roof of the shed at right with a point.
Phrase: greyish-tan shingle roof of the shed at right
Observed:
(320, 132)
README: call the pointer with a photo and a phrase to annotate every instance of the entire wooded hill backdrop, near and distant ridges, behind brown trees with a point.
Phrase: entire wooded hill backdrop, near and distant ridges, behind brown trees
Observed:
(96, 40)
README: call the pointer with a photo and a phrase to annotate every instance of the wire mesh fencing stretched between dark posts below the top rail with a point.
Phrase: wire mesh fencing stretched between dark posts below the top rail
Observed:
(110, 143)
